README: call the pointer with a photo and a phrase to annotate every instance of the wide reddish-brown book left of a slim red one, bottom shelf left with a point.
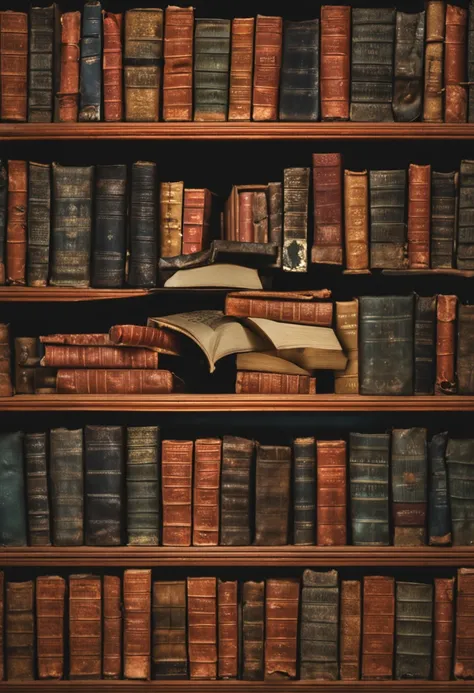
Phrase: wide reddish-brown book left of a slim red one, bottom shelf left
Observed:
(85, 627)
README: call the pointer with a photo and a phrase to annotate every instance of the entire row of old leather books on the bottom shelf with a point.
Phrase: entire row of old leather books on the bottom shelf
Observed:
(317, 627)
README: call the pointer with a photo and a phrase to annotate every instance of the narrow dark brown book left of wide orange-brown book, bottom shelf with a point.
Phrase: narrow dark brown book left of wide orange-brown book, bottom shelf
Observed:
(253, 630)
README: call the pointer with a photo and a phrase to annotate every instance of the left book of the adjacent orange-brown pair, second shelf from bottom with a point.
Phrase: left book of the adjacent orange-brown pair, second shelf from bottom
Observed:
(176, 484)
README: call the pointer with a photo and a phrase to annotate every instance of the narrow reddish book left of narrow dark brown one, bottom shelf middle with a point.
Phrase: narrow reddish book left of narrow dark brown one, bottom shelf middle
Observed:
(228, 629)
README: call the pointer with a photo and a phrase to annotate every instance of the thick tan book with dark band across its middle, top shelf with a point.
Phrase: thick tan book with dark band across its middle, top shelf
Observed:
(142, 56)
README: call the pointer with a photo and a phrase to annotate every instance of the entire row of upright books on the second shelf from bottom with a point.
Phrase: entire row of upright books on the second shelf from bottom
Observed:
(102, 485)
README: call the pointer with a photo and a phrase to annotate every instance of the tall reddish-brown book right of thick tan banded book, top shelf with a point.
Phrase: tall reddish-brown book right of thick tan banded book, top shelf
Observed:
(178, 67)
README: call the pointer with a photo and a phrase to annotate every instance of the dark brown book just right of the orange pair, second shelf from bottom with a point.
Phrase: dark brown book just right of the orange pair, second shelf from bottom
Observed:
(237, 467)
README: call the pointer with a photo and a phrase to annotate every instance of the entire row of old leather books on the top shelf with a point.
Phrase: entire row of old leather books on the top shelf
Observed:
(362, 64)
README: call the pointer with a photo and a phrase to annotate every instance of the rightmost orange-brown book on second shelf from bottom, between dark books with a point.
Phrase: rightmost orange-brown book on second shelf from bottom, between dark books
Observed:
(331, 492)
